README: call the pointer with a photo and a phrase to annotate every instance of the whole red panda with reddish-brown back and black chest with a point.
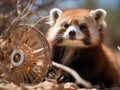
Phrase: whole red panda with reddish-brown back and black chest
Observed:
(79, 32)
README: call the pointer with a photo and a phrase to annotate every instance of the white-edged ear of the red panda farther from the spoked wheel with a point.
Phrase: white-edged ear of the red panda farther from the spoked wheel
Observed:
(99, 15)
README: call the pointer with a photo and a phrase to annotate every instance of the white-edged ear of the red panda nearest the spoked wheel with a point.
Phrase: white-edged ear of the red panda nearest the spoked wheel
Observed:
(54, 14)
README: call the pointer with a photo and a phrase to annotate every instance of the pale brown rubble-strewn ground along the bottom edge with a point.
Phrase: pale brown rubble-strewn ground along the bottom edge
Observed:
(49, 85)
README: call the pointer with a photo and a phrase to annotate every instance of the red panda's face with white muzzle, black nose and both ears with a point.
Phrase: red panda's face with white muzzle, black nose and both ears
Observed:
(76, 27)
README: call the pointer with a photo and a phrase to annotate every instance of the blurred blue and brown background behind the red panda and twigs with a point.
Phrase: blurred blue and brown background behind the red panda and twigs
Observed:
(42, 7)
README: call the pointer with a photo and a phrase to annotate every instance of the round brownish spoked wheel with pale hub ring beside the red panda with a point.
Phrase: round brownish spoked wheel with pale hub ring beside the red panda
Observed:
(25, 55)
